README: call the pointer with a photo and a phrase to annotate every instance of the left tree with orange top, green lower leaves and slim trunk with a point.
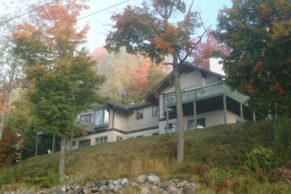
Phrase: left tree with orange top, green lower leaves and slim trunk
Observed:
(60, 73)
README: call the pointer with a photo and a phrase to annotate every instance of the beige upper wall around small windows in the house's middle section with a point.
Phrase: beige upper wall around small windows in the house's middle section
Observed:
(147, 121)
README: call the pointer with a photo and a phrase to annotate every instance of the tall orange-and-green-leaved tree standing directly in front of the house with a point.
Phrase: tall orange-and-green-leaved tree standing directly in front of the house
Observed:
(153, 30)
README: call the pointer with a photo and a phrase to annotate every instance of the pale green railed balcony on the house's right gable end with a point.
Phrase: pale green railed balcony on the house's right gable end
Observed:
(204, 93)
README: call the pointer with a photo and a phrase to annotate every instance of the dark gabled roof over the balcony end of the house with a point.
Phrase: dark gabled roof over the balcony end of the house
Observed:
(169, 80)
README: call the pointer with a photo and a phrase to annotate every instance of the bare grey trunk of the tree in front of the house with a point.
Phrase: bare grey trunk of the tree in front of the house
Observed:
(180, 146)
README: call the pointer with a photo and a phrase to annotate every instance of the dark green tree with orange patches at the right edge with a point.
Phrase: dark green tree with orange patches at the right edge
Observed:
(258, 34)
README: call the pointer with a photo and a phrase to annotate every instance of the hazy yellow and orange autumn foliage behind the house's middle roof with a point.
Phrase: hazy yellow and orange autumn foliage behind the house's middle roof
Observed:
(129, 77)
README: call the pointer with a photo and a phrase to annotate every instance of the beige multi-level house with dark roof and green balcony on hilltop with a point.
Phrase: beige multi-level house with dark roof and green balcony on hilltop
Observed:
(207, 101)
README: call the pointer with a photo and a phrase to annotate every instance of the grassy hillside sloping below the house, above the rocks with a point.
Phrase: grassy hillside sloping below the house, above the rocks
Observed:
(214, 157)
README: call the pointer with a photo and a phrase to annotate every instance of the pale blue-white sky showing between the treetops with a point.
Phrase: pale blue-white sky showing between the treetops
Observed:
(100, 23)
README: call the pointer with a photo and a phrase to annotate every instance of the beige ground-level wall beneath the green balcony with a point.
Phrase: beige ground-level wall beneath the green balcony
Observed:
(211, 119)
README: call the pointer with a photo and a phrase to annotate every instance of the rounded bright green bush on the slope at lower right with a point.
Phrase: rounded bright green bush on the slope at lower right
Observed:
(261, 159)
